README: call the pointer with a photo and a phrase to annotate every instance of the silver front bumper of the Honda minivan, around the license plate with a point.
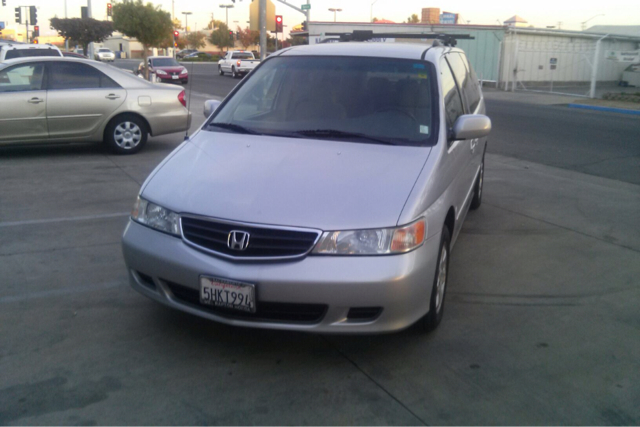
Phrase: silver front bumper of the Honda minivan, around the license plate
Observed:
(400, 284)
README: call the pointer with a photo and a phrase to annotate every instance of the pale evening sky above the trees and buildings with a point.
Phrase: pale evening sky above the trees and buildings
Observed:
(540, 13)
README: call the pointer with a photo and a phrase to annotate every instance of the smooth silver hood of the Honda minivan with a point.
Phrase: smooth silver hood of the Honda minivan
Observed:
(328, 185)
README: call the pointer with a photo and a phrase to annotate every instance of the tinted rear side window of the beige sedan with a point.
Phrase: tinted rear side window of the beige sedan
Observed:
(70, 75)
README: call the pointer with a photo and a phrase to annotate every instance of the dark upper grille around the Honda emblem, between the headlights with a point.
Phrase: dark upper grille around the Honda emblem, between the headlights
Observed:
(263, 242)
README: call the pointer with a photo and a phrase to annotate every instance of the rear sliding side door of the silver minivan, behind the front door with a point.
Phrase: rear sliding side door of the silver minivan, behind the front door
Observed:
(463, 82)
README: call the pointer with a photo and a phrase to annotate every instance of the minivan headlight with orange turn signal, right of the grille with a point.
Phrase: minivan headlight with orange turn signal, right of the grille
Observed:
(384, 241)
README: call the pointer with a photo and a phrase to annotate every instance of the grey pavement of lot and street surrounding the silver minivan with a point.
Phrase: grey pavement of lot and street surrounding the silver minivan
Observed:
(541, 324)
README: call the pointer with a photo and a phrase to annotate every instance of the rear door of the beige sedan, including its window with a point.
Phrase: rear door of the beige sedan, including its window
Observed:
(80, 98)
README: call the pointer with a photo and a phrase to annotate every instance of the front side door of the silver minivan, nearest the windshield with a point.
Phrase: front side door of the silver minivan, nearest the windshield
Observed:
(458, 154)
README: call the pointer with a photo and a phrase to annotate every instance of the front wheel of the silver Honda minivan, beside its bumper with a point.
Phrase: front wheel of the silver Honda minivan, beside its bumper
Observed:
(436, 304)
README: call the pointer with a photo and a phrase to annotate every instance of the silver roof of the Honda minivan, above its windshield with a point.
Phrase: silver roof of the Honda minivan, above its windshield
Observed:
(371, 49)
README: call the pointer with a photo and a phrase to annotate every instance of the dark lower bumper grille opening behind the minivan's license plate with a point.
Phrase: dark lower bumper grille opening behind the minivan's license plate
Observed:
(265, 311)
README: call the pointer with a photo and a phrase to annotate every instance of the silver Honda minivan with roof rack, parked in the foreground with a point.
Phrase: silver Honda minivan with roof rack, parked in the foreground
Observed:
(324, 194)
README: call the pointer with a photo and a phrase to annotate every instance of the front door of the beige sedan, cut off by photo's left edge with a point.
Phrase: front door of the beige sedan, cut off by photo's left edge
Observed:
(23, 103)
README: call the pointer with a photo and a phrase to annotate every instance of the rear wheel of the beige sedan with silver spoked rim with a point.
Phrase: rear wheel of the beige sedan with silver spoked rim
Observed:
(126, 134)
